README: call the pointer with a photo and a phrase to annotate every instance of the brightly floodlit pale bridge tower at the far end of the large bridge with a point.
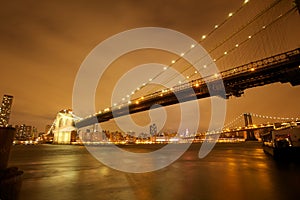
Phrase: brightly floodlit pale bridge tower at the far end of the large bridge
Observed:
(64, 130)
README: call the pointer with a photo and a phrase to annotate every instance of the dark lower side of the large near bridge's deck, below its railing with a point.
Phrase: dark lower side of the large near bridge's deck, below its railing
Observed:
(233, 85)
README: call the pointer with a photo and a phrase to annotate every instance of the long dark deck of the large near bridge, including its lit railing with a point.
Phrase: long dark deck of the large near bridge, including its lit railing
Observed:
(284, 67)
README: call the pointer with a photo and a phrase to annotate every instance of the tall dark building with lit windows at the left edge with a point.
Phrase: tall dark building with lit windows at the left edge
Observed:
(5, 110)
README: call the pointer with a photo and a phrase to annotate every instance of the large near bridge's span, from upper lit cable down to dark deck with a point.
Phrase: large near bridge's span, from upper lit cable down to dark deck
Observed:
(249, 46)
